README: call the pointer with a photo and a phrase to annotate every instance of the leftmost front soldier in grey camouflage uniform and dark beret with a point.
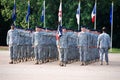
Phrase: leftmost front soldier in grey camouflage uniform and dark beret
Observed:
(12, 40)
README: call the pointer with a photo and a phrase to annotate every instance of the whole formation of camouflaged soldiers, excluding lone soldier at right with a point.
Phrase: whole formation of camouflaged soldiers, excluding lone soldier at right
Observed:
(40, 45)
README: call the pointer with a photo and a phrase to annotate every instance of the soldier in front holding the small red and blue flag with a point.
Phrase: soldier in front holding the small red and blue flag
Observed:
(63, 45)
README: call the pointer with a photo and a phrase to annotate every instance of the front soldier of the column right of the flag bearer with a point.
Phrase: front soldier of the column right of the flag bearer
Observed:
(83, 45)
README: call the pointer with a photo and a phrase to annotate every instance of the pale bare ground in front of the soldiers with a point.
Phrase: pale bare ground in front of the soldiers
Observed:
(52, 71)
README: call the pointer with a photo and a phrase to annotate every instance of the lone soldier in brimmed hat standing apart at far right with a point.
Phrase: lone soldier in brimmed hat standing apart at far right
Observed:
(103, 44)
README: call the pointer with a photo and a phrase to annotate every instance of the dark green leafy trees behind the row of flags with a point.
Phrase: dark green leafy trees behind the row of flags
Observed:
(69, 15)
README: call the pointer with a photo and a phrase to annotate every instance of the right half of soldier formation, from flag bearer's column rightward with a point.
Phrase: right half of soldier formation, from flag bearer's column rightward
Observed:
(80, 46)
